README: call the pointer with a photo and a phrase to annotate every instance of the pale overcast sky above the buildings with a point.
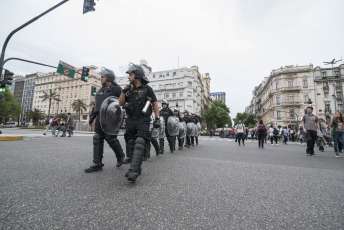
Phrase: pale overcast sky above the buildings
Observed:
(238, 42)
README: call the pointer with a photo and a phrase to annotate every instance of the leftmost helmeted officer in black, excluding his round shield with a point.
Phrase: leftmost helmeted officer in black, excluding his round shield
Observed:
(109, 88)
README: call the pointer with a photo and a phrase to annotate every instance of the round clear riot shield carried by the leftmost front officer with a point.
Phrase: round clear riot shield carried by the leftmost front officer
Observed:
(111, 116)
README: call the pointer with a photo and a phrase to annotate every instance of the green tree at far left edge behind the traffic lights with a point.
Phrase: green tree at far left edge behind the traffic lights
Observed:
(9, 108)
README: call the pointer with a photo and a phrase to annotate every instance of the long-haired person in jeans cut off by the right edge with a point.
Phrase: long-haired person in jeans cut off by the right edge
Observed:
(337, 131)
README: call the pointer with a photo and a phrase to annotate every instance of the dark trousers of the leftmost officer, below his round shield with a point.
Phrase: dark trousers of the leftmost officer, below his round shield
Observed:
(98, 144)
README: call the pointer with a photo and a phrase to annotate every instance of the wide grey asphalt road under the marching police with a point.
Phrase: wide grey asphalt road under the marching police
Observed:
(215, 185)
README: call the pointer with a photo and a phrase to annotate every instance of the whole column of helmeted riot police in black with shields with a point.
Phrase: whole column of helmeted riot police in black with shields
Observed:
(139, 102)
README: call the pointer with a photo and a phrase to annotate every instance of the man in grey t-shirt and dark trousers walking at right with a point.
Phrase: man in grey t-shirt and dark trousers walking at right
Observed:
(310, 122)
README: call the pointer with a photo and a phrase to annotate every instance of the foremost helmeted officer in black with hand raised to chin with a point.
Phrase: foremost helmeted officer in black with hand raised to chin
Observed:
(134, 99)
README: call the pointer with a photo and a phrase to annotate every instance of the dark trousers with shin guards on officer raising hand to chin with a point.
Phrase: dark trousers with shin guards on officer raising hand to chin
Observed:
(136, 135)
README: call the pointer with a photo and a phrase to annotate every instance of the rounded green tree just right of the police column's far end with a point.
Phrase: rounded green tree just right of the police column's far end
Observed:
(217, 115)
